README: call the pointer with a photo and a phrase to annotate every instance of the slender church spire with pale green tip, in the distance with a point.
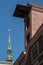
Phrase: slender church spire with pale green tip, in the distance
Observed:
(9, 50)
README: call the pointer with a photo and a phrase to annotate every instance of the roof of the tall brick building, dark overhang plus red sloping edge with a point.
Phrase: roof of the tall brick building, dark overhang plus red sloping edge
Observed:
(22, 11)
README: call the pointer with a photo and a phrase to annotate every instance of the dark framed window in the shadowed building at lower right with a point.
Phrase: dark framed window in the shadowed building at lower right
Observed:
(34, 51)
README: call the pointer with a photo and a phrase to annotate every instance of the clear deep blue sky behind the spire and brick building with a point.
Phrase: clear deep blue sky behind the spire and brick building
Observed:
(7, 7)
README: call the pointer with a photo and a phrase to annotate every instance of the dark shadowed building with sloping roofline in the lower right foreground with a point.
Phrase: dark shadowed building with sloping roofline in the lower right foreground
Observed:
(35, 52)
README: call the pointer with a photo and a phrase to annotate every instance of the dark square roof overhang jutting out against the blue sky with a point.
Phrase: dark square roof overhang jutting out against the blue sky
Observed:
(21, 11)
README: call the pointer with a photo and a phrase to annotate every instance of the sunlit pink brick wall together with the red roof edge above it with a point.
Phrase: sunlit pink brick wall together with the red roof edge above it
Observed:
(36, 18)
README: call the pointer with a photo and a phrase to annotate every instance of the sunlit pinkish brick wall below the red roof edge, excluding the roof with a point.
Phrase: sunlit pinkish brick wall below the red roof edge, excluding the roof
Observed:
(37, 20)
